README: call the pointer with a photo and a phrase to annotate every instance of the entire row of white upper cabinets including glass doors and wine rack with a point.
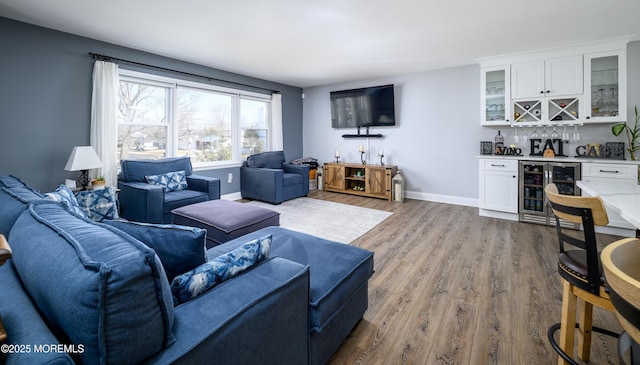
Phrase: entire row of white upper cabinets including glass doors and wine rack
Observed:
(572, 85)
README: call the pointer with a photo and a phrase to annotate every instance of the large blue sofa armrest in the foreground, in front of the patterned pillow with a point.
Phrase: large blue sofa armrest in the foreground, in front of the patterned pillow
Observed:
(260, 316)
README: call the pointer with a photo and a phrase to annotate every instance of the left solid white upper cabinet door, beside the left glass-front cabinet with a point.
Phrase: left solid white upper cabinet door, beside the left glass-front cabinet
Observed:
(527, 80)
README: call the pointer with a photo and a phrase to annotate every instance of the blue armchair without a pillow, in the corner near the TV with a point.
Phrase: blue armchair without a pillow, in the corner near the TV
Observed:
(267, 177)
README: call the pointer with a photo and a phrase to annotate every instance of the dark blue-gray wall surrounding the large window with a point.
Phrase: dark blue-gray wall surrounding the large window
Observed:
(45, 103)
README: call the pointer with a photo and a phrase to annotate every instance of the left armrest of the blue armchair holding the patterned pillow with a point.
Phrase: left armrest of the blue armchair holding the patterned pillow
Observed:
(141, 202)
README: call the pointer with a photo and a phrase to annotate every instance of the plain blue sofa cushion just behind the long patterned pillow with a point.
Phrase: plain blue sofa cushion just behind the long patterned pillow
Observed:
(180, 248)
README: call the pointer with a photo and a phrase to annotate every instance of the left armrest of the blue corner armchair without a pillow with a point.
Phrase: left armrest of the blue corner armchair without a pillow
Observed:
(262, 184)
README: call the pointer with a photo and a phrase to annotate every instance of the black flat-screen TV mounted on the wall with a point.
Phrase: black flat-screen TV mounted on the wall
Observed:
(365, 107)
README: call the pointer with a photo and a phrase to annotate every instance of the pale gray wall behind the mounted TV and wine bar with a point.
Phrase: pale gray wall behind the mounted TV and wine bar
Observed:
(436, 140)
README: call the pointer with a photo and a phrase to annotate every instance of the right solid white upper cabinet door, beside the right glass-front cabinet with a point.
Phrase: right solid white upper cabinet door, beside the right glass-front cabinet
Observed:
(563, 76)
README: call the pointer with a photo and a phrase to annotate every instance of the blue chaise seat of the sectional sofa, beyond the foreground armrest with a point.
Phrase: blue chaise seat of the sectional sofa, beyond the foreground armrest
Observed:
(338, 287)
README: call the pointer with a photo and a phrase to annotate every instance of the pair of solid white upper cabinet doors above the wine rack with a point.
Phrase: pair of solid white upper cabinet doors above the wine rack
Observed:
(546, 78)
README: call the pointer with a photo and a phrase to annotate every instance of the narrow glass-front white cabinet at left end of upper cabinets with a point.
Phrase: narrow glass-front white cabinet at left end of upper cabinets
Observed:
(495, 96)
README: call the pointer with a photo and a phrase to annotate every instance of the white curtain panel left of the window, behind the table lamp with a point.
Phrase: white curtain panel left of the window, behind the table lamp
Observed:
(104, 128)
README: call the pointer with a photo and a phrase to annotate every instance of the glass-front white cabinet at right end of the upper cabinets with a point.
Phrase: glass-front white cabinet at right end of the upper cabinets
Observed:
(605, 87)
